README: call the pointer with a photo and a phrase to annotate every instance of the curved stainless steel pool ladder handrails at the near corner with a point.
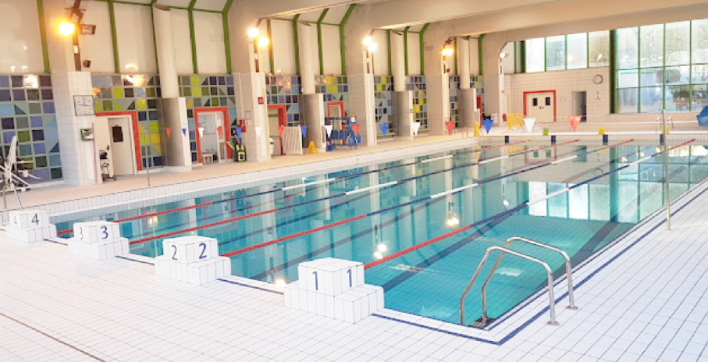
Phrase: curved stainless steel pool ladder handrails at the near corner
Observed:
(484, 320)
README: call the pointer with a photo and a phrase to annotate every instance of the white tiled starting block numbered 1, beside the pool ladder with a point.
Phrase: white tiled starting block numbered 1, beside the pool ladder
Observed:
(334, 288)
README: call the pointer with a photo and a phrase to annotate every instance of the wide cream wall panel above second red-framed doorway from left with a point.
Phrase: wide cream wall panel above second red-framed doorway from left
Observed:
(209, 33)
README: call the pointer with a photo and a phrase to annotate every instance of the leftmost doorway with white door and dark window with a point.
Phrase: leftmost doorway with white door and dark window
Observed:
(115, 136)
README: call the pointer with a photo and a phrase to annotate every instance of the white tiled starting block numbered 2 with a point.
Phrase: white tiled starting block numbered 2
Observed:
(192, 259)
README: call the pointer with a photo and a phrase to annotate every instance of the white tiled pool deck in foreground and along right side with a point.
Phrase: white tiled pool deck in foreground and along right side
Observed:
(647, 302)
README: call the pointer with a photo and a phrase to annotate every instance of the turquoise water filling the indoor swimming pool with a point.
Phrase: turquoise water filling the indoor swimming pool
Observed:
(429, 281)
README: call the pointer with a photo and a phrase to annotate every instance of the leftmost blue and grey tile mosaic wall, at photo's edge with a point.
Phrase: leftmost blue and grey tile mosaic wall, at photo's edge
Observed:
(27, 111)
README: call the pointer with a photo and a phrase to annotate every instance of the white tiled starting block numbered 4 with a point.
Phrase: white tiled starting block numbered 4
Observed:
(30, 226)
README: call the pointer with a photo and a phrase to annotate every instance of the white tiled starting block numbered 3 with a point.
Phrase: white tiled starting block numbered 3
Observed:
(98, 240)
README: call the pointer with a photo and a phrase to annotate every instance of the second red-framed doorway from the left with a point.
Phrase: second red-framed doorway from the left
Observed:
(212, 137)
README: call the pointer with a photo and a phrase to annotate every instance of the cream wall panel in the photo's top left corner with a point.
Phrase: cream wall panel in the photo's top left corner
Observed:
(20, 42)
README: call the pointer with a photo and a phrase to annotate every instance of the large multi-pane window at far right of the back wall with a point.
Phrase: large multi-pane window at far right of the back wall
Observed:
(662, 66)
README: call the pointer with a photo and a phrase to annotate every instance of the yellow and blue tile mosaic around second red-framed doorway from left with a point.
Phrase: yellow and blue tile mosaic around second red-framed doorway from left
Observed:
(207, 92)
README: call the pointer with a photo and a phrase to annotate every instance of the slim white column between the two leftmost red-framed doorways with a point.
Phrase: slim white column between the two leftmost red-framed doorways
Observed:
(165, 51)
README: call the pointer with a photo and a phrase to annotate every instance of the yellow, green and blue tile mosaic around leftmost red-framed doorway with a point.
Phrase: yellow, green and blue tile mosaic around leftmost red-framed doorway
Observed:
(134, 92)
